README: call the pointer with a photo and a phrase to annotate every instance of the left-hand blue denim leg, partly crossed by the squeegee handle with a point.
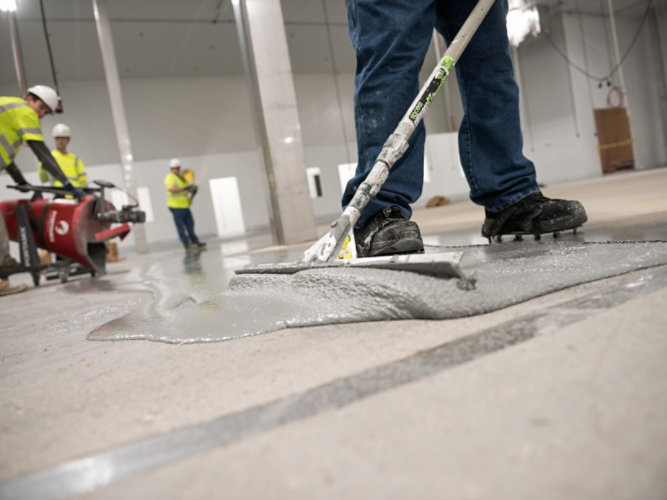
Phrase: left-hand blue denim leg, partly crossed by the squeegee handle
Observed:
(390, 38)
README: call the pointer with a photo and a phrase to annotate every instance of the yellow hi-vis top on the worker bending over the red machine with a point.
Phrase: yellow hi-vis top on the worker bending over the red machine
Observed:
(18, 123)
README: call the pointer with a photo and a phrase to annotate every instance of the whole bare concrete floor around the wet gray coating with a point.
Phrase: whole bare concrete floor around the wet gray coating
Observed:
(458, 409)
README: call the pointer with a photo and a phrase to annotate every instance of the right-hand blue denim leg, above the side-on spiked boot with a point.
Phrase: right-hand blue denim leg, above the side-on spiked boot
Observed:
(490, 138)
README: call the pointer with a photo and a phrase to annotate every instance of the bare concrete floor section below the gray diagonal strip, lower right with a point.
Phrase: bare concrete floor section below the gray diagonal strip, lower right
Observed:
(564, 416)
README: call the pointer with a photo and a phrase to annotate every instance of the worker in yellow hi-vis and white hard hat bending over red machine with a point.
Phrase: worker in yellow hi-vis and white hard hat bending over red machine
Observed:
(19, 123)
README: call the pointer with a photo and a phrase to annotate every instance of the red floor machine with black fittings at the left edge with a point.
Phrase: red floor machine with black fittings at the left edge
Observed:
(76, 231)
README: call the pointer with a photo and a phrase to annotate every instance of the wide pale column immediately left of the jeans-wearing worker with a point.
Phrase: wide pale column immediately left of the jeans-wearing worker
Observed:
(273, 101)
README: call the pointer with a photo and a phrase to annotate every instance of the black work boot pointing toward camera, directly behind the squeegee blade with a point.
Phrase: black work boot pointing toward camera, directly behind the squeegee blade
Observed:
(387, 233)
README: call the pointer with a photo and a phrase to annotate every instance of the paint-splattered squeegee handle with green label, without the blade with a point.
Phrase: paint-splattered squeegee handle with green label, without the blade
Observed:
(330, 244)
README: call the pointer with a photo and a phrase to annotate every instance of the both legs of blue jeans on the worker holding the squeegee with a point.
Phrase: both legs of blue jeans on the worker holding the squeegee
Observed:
(391, 38)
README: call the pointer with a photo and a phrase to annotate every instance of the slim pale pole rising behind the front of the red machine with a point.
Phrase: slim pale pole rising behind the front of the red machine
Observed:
(118, 111)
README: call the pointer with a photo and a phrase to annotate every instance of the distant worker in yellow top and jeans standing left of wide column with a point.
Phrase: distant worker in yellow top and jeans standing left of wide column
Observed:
(179, 199)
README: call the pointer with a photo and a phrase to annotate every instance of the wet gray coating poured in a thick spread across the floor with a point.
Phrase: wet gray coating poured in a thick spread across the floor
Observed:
(505, 274)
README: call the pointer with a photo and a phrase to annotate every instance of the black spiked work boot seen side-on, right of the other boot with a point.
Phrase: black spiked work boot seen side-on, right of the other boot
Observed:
(535, 214)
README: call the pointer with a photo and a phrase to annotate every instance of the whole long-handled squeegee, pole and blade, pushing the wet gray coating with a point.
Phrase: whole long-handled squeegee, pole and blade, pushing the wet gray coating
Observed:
(327, 250)
